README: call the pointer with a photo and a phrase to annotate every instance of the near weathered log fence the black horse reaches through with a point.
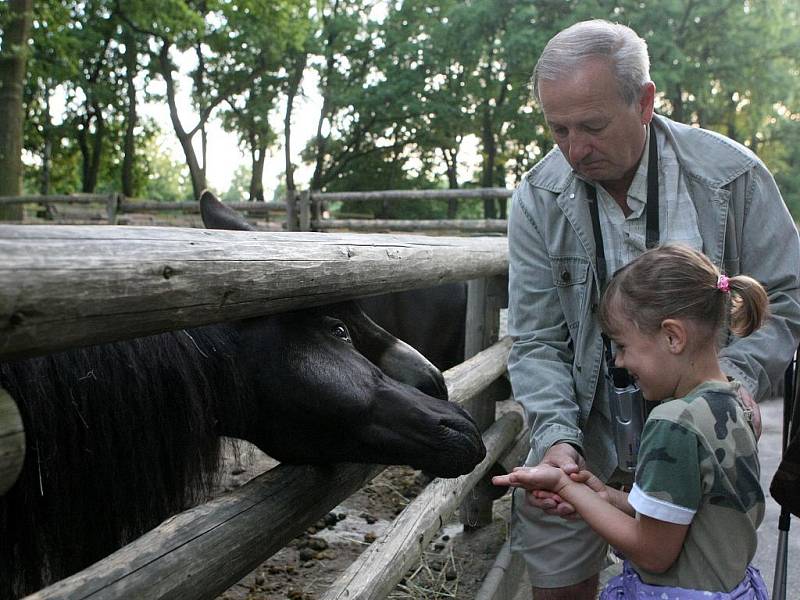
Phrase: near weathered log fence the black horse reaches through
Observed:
(76, 285)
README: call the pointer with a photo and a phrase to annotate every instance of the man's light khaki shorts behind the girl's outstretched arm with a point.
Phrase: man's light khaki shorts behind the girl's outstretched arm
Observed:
(557, 552)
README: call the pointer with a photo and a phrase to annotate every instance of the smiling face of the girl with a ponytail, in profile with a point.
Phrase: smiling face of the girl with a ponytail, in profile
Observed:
(647, 358)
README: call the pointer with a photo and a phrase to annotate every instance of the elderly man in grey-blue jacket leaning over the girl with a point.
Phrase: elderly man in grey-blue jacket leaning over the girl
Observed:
(651, 181)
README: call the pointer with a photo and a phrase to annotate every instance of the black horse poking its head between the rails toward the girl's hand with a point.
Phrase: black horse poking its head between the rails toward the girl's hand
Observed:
(122, 435)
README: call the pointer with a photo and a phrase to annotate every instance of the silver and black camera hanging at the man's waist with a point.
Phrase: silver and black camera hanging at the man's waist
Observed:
(628, 414)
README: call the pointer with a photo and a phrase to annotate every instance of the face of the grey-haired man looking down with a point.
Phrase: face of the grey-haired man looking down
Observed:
(599, 134)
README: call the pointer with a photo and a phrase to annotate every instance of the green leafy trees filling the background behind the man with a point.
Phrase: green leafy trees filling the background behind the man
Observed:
(406, 86)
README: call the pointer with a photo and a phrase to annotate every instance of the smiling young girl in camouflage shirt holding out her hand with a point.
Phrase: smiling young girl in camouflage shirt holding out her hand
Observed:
(688, 526)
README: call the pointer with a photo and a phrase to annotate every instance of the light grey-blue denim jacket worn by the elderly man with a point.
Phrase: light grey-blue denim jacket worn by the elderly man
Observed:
(555, 362)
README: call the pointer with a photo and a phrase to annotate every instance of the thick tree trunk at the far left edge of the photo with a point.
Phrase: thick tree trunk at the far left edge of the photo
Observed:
(13, 57)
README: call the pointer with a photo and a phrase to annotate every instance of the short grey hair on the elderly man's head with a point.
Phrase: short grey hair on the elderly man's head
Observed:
(624, 49)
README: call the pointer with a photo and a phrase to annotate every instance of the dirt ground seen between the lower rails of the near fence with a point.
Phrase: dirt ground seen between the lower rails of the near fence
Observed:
(453, 567)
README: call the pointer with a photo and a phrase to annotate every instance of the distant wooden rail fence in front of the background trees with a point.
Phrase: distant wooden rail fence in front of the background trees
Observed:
(302, 211)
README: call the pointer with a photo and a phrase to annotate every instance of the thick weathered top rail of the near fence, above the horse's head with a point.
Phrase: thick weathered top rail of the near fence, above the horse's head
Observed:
(64, 286)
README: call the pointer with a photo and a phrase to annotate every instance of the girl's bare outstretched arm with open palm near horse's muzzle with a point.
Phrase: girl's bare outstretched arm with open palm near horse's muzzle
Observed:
(651, 544)
